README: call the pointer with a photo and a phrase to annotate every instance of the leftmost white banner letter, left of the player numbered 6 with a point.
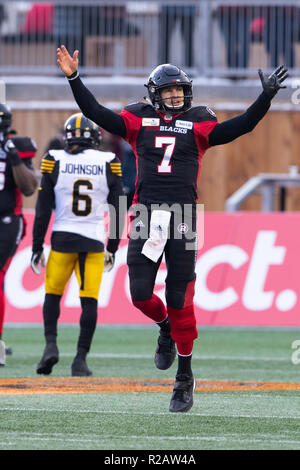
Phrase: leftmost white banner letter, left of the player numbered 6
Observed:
(14, 289)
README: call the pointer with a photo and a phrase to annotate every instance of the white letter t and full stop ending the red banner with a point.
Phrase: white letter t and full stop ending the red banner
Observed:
(265, 254)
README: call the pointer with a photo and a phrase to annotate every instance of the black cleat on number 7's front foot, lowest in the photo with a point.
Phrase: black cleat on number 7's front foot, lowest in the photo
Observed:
(182, 397)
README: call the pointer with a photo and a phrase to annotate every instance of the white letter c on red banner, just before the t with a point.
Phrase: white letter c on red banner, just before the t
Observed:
(206, 299)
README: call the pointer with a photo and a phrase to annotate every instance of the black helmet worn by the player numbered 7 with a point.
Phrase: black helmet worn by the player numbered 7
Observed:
(166, 75)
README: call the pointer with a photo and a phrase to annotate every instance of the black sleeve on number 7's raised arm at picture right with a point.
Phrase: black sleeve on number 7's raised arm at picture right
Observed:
(228, 131)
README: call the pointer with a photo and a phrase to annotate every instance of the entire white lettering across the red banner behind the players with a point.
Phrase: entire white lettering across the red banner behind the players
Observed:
(253, 296)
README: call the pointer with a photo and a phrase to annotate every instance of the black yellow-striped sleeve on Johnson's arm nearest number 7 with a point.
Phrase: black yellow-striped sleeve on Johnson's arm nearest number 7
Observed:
(117, 204)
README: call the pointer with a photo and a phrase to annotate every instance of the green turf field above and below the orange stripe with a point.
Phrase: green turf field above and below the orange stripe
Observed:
(254, 419)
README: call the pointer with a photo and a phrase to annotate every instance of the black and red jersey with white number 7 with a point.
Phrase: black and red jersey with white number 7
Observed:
(168, 151)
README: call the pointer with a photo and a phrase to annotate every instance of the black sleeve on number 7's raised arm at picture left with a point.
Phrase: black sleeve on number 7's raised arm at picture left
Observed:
(104, 117)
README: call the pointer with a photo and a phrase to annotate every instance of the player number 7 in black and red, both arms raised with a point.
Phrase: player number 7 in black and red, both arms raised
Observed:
(169, 138)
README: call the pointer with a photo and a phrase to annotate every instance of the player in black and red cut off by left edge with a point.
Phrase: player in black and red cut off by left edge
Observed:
(16, 178)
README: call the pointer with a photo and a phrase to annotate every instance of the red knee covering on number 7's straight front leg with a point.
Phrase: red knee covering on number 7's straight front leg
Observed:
(183, 324)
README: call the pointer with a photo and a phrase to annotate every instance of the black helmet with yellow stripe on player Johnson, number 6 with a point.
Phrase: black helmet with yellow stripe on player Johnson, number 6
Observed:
(79, 130)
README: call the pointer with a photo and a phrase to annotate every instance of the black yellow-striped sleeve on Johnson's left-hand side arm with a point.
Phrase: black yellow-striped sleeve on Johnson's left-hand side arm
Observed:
(45, 203)
